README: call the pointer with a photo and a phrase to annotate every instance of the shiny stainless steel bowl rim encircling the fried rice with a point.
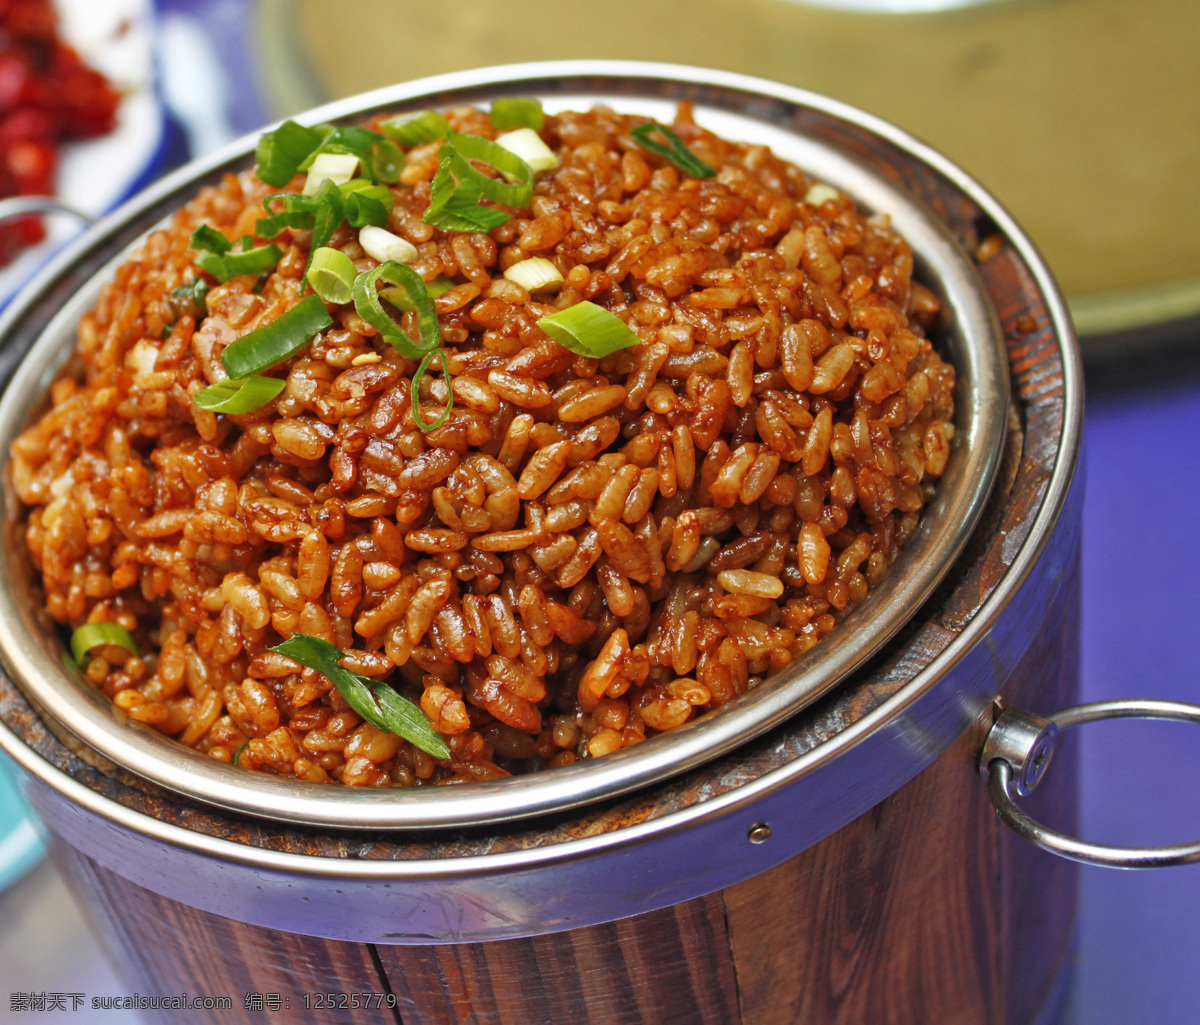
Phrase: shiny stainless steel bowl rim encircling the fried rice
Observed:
(820, 136)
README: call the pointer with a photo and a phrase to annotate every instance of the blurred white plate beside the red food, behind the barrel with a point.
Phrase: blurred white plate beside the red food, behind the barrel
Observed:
(115, 38)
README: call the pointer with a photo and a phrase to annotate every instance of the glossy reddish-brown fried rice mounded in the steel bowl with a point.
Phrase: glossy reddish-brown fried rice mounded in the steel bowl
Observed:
(585, 554)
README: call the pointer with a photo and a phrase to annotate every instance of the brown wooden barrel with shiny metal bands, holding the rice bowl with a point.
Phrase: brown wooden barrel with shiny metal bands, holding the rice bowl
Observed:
(845, 866)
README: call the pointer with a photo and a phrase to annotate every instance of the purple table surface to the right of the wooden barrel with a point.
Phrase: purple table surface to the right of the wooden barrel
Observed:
(1139, 937)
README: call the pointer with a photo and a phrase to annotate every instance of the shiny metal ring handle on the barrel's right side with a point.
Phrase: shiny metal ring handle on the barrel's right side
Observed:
(1015, 759)
